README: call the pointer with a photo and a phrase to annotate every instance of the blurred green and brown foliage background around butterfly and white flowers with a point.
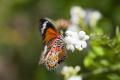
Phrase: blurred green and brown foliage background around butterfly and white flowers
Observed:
(21, 45)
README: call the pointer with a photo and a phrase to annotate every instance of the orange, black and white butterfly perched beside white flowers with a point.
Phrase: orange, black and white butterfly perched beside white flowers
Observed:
(54, 51)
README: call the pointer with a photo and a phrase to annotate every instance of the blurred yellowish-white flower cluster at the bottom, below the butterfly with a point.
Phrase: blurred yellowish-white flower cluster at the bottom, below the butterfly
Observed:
(70, 73)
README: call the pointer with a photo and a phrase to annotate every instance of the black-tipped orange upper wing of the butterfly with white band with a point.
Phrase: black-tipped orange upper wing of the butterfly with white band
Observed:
(47, 30)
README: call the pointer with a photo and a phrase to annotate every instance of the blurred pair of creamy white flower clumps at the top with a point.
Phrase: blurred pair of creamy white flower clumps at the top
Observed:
(89, 16)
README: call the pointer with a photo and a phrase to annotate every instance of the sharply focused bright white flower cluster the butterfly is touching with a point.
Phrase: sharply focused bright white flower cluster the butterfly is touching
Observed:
(76, 40)
